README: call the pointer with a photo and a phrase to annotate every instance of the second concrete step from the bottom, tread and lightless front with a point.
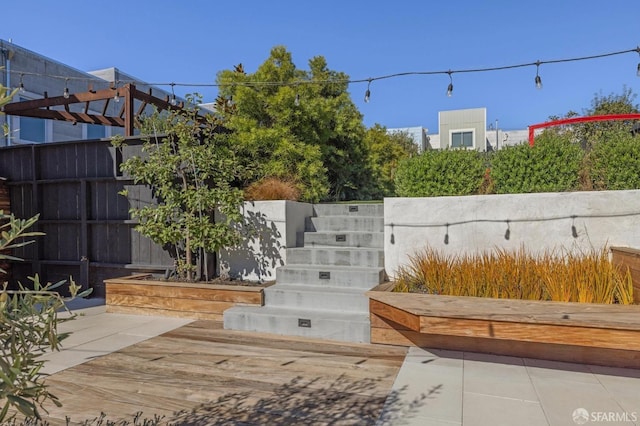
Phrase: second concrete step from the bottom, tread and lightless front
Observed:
(317, 298)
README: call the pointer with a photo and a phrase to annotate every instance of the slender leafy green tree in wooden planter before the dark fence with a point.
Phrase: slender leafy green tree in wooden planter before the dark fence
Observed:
(193, 168)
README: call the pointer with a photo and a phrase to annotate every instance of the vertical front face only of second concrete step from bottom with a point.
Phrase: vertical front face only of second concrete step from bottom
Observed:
(326, 301)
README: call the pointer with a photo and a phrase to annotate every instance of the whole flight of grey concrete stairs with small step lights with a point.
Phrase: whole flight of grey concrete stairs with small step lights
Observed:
(320, 291)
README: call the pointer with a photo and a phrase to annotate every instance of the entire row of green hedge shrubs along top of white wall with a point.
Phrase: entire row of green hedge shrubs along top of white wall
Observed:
(554, 164)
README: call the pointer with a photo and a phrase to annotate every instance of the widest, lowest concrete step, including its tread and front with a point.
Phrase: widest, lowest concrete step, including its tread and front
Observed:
(345, 327)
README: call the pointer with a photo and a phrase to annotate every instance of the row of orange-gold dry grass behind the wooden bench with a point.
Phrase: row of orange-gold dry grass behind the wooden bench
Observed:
(568, 277)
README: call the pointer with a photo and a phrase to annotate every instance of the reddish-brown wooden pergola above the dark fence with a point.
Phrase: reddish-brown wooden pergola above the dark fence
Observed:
(126, 94)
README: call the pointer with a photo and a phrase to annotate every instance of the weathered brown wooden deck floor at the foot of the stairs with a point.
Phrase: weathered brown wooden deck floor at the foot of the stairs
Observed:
(202, 374)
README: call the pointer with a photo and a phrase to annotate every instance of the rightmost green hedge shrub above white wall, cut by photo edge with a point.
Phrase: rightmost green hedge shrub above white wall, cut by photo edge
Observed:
(615, 162)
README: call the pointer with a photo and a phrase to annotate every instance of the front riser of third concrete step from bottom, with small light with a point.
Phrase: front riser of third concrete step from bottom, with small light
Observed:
(349, 279)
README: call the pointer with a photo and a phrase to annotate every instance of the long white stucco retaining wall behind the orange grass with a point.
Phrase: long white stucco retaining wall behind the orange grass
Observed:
(537, 222)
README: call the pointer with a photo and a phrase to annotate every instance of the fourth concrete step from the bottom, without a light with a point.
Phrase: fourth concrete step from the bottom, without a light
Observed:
(366, 257)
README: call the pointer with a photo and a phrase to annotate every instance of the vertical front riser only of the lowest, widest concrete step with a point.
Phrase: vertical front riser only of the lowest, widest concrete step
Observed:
(321, 328)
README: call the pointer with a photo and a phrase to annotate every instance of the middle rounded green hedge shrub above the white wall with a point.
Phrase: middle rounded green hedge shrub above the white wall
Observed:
(552, 165)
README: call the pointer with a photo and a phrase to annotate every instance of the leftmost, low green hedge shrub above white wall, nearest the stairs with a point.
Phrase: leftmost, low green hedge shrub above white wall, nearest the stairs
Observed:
(437, 173)
